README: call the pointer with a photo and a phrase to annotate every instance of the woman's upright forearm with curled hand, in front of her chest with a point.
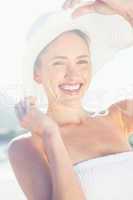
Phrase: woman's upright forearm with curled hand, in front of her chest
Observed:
(65, 183)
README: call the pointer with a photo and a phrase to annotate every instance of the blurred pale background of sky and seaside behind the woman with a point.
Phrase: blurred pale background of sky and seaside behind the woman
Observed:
(113, 83)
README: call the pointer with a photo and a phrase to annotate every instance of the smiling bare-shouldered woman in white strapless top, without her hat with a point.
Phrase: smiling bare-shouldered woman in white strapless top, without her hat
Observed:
(70, 155)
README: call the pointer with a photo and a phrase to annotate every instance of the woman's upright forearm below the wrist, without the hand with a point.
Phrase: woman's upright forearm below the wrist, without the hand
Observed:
(66, 185)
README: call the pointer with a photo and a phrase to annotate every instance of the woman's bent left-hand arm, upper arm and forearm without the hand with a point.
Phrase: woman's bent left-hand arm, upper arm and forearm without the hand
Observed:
(40, 180)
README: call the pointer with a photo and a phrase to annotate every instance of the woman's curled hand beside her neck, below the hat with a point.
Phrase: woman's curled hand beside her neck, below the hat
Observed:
(31, 118)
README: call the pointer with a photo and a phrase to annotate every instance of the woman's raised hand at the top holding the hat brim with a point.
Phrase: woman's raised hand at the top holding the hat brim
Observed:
(107, 7)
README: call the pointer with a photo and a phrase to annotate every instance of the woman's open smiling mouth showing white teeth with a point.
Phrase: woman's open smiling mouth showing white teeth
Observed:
(71, 89)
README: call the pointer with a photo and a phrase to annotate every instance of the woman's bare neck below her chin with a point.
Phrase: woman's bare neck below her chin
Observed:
(64, 114)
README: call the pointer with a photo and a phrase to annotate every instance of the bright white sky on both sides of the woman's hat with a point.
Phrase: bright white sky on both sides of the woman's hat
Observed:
(16, 17)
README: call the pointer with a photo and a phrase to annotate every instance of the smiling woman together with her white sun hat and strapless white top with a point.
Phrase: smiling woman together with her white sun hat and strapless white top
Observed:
(66, 145)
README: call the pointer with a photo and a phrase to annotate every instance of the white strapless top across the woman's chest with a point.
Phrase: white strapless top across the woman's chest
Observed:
(107, 178)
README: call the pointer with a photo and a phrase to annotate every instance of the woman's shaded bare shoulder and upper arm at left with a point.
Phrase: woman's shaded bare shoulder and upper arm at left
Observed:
(31, 170)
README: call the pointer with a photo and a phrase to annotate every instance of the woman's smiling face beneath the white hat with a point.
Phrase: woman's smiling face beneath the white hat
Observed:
(65, 69)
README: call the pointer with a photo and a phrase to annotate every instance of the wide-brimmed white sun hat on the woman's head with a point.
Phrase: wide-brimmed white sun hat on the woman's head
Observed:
(108, 34)
